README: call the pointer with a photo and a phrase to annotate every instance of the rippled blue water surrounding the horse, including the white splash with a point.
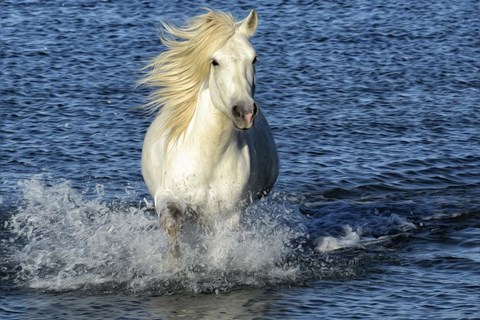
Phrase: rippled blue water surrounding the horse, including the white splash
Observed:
(375, 108)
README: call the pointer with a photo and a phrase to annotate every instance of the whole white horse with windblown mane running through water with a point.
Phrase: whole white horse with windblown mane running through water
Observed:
(210, 150)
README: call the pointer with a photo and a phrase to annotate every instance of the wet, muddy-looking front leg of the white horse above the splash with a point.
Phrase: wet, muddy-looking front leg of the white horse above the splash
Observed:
(171, 215)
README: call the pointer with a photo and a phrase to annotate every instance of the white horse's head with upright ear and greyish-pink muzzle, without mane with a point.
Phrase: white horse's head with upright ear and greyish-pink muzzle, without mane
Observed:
(232, 75)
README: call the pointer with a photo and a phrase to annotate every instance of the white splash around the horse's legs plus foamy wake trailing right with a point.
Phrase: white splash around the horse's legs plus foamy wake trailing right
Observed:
(63, 240)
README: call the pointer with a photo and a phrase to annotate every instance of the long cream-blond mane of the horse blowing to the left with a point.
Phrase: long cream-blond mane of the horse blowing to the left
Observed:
(179, 72)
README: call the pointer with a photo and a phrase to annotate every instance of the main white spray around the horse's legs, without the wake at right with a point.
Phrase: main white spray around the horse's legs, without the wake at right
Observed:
(67, 242)
